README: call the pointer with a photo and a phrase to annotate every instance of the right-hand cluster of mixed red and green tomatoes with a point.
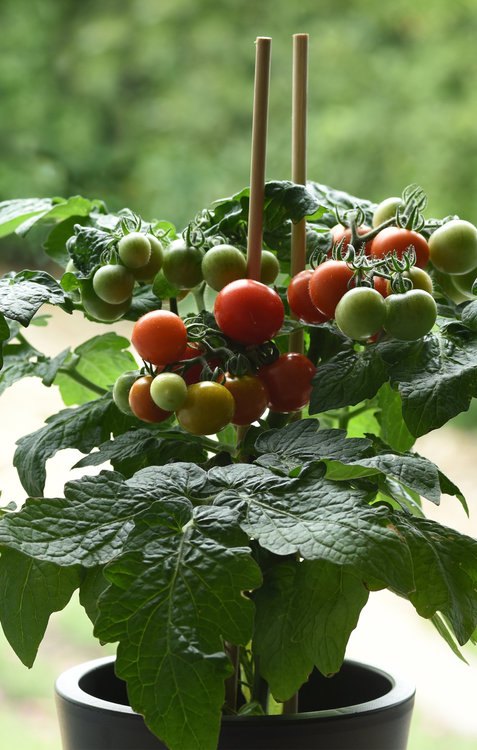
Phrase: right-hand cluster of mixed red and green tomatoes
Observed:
(382, 286)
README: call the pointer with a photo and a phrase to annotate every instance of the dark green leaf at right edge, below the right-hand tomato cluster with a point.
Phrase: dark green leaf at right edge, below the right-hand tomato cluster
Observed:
(436, 376)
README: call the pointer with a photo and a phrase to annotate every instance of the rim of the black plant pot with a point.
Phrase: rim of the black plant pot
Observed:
(67, 687)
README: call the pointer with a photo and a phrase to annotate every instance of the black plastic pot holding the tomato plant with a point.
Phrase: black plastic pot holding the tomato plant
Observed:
(361, 708)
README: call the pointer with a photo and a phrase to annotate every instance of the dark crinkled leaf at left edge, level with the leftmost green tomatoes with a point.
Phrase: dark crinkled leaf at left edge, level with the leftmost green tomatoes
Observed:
(22, 294)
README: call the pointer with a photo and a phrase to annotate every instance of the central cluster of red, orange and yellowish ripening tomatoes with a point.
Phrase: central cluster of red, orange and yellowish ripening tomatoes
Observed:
(186, 379)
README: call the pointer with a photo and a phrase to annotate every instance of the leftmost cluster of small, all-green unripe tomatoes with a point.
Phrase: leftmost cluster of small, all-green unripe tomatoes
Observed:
(108, 295)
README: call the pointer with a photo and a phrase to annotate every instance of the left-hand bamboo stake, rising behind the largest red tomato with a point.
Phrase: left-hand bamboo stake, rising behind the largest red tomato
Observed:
(259, 147)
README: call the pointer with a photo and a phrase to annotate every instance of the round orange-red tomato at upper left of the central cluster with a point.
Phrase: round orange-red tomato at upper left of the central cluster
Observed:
(159, 337)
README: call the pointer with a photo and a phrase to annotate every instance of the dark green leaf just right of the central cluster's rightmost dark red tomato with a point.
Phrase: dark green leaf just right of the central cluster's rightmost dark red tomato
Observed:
(347, 378)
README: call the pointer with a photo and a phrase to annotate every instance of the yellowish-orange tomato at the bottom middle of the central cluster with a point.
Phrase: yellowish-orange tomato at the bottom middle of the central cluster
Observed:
(208, 408)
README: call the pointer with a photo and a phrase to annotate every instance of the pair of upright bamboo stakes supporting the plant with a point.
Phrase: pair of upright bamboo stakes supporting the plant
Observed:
(258, 156)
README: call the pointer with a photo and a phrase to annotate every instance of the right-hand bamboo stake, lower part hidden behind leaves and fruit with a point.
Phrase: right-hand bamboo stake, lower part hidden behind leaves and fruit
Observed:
(299, 146)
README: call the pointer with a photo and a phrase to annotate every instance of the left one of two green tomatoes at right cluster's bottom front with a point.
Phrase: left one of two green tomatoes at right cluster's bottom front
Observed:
(360, 313)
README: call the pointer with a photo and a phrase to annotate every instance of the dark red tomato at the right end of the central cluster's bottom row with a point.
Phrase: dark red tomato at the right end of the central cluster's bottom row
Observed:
(288, 381)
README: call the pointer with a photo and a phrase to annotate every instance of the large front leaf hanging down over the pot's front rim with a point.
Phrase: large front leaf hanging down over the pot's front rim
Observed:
(174, 597)
